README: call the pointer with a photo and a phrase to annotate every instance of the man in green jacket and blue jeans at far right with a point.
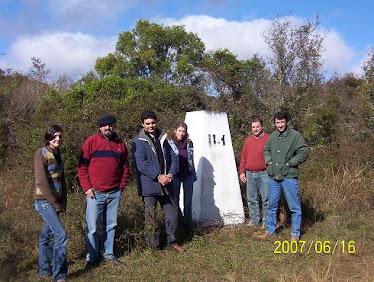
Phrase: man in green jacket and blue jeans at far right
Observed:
(283, 152)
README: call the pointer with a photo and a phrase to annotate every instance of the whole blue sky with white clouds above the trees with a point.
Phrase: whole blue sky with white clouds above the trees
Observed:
(69, 35)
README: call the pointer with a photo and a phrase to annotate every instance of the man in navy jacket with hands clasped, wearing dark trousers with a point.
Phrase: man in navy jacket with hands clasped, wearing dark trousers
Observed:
(156, 163)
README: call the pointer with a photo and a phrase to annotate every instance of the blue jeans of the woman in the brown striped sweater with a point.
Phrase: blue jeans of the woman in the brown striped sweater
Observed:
(49, 252)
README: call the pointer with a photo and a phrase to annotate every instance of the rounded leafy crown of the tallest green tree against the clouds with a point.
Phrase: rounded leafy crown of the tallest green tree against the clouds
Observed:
(152, 50)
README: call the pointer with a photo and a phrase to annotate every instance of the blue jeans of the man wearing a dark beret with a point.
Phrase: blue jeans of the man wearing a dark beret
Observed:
(102, 209)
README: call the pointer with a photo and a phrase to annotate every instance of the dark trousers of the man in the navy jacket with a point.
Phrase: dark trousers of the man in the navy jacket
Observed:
(151, 230)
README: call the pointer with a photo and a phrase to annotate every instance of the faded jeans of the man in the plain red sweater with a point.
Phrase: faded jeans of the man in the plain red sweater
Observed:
(257, 182)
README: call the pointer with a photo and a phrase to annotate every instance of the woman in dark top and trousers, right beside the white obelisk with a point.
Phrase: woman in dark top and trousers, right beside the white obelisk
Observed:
(183, 147)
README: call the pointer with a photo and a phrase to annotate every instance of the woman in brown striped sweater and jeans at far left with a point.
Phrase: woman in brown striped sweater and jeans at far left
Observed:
(50, 200)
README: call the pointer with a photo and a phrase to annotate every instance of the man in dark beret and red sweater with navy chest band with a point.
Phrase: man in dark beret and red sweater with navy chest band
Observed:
(103, 171)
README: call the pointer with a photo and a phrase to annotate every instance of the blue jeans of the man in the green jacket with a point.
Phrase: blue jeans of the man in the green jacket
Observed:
(290, 188)
